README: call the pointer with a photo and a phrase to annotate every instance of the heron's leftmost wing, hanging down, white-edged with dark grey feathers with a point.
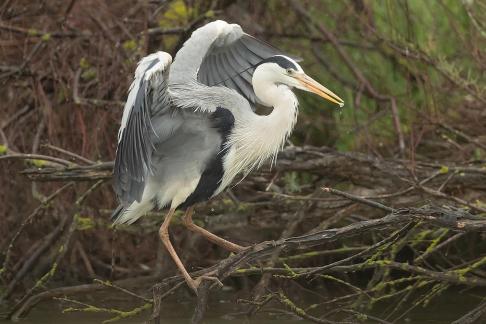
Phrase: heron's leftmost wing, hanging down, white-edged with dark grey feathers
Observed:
(146, 97)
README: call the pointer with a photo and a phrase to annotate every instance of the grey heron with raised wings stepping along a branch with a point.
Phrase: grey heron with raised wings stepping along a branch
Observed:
(189, 125)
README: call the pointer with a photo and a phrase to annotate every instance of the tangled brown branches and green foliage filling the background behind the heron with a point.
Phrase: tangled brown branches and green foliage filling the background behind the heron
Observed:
(412, 136)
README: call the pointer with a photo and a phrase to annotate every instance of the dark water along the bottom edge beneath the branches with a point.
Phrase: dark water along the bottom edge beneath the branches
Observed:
(445, 309)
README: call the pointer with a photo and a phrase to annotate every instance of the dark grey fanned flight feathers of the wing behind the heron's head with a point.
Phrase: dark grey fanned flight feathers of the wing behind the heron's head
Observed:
(231, 62)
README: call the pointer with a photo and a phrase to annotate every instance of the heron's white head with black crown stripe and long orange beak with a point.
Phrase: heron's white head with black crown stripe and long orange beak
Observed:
(280, 69)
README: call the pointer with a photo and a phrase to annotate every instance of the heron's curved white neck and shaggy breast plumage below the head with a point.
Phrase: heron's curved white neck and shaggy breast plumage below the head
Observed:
(255, 138)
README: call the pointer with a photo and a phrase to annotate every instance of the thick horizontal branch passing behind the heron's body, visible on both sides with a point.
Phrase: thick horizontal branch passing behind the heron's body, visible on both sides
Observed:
(357, 168)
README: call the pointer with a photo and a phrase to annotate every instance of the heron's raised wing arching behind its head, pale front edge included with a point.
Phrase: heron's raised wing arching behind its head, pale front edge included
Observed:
(217, 54)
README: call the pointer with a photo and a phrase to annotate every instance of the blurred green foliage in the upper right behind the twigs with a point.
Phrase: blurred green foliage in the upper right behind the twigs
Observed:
(439, 33)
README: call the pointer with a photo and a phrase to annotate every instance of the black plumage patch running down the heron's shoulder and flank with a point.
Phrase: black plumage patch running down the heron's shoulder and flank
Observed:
(223, 121)
